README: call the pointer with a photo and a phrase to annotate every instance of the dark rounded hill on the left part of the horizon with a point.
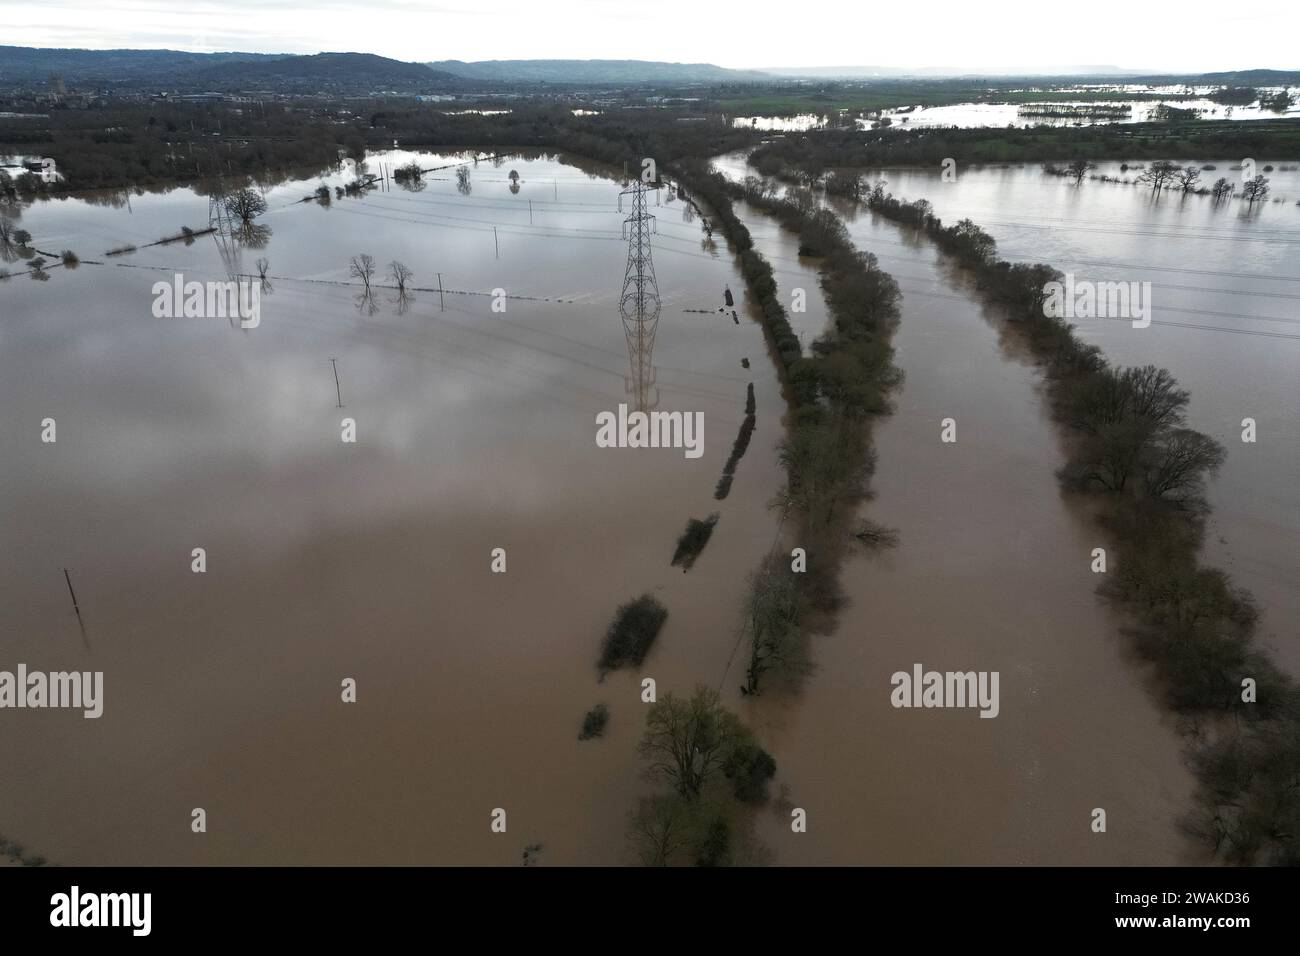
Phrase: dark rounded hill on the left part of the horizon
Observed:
(326, 73)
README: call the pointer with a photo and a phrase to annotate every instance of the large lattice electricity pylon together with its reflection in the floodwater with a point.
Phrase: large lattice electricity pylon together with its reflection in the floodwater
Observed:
(639, 305)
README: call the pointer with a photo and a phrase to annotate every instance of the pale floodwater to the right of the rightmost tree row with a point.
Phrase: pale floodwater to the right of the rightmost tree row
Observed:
(1225, 283)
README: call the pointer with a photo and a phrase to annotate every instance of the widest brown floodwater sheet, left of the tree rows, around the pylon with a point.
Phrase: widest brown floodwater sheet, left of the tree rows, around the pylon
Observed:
(326, 561)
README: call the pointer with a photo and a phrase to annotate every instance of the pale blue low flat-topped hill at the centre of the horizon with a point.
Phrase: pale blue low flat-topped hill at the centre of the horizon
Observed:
(582, 72)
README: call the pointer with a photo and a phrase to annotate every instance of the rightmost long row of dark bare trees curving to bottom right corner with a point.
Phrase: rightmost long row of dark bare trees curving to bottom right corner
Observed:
(1134, 448)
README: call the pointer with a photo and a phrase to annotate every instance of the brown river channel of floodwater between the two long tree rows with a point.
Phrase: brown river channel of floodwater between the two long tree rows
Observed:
(991, 576)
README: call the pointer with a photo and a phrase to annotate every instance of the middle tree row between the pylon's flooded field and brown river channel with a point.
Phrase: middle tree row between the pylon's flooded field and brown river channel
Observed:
(835, 393)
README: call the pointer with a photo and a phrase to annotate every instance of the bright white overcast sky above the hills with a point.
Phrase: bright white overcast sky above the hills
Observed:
(1193, 36)
